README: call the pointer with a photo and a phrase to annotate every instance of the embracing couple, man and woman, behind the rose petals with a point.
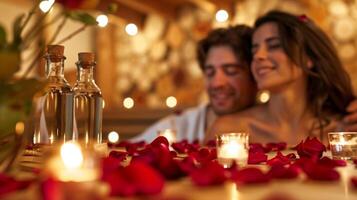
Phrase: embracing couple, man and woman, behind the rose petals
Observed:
(287, 55)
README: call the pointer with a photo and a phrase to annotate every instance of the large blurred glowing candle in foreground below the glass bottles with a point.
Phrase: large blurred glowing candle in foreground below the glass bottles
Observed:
(77, 172)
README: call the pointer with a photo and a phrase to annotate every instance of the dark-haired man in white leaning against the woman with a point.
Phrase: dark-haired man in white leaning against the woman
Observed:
(224, 57)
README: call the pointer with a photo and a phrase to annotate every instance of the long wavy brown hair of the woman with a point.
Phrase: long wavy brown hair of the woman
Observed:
(329, 88)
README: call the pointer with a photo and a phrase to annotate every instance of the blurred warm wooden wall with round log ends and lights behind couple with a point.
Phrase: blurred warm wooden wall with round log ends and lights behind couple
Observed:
(146, 62)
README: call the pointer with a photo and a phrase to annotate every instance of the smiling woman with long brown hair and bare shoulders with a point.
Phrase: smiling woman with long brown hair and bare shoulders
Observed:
(309, 89)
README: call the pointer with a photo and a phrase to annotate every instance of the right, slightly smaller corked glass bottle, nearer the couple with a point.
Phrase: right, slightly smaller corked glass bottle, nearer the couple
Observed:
(88, 102)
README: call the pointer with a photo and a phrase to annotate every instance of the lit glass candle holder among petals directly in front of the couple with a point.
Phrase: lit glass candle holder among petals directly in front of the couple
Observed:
(232, 147)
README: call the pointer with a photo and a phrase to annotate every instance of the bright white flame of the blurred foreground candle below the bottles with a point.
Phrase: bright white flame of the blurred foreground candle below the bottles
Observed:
(71, 155)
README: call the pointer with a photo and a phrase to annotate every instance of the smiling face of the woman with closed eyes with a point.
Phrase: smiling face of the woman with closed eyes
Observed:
(271, 67)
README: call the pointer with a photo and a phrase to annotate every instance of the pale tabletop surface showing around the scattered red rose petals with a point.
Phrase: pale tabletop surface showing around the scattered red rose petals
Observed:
(295, 189)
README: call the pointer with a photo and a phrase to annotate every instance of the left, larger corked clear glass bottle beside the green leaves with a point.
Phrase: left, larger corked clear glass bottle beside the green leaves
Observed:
(54, 119)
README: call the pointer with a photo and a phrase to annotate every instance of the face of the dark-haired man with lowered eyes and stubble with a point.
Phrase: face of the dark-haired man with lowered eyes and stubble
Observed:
(229, 85)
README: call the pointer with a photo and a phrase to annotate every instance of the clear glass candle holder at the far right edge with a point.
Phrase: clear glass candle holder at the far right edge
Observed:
(343, 145)
